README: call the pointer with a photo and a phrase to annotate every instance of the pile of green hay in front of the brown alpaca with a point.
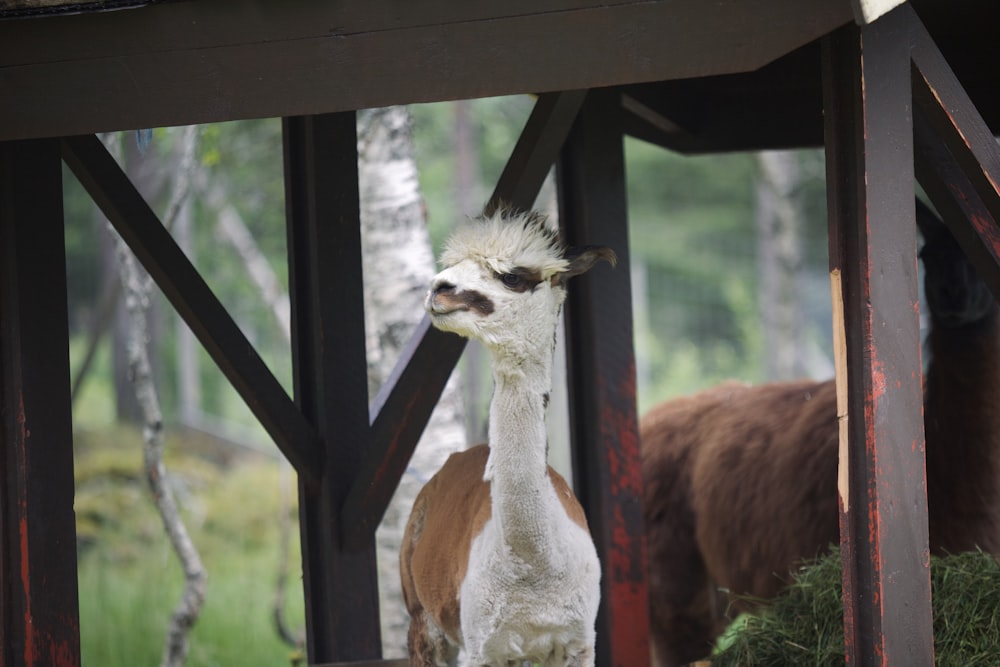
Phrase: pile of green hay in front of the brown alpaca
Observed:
(804, 625)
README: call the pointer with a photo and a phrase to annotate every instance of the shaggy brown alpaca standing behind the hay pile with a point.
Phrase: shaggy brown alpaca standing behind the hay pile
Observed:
(741, 482)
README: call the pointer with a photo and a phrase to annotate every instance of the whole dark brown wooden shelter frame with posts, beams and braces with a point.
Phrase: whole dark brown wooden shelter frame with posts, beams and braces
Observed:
(891, 103)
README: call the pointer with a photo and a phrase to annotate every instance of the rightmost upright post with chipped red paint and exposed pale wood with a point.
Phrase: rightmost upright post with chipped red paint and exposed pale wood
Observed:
(887, 603)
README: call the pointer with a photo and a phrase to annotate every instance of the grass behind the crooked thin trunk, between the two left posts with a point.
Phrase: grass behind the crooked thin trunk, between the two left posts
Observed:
(129, 577)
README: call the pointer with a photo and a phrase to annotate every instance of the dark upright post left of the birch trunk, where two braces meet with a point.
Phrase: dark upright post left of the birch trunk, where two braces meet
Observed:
(330, 377)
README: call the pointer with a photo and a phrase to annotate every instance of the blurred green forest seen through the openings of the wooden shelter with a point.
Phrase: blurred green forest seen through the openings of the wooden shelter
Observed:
(729, 275)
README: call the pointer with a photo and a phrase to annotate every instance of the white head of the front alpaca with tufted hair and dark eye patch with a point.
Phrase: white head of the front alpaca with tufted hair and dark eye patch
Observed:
(504, 282)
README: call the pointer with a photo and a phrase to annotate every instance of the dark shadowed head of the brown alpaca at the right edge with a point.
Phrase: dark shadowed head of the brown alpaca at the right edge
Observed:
(956, 296)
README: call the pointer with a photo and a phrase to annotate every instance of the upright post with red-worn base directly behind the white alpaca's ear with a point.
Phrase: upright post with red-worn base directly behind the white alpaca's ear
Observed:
(602, 377)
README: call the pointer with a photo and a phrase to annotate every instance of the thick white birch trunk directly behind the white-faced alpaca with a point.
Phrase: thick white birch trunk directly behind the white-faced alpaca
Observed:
(398, 266)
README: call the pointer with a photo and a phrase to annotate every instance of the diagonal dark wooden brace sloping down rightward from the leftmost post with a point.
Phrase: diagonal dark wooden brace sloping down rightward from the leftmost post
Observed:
(194, 301)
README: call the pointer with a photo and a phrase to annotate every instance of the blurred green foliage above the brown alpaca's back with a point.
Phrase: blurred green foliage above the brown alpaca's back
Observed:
(691, 224)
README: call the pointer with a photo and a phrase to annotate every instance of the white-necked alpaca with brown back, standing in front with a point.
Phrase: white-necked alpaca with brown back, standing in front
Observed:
(497, 560)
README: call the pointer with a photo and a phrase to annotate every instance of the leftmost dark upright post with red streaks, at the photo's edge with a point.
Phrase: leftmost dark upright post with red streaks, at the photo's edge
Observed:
(39, 610)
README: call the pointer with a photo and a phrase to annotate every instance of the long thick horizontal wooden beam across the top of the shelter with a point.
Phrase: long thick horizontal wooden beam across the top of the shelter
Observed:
(196, 62)
